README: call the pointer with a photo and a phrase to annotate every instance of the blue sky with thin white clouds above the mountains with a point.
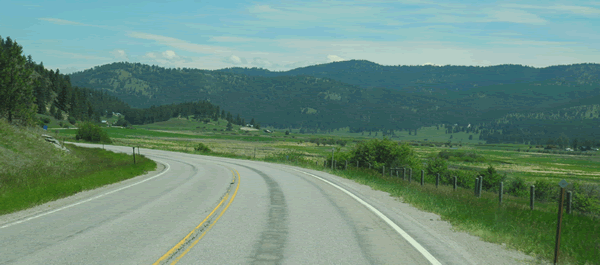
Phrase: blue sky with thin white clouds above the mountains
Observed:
(282, 35)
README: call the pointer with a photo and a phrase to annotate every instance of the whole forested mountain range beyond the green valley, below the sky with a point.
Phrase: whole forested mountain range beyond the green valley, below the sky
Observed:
(336, 95)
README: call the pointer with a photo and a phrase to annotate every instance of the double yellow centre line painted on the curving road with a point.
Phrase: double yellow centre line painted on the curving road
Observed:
(173, 251)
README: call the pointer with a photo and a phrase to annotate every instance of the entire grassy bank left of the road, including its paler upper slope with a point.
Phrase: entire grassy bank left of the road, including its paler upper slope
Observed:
(33, 171)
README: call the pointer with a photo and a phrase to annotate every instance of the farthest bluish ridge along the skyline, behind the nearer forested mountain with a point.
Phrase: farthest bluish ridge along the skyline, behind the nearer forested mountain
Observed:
(367, 74)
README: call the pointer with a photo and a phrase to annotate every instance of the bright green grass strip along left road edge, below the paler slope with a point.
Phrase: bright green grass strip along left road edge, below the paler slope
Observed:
(44, 182)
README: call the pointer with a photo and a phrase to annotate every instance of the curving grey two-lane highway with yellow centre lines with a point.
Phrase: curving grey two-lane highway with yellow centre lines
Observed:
(210, 210)
